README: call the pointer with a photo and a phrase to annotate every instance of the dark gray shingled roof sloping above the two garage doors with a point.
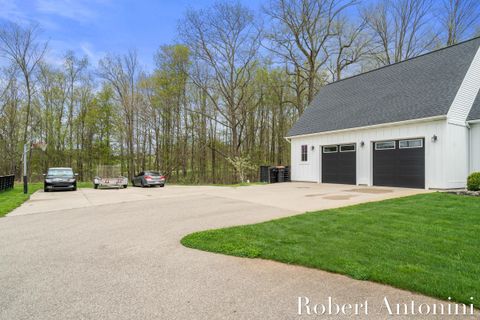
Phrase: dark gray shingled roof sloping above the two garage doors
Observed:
(421, 87)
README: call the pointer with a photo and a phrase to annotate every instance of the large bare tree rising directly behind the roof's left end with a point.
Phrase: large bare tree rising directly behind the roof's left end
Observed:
(300, 36)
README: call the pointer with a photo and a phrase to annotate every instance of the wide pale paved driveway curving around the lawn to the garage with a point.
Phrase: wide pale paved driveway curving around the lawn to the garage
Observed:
(115, 254)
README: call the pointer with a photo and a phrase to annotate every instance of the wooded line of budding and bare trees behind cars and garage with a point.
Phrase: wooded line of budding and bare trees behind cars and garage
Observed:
(221, 98)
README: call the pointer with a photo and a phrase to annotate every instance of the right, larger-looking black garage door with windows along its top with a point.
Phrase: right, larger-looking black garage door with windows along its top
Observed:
(399, 163)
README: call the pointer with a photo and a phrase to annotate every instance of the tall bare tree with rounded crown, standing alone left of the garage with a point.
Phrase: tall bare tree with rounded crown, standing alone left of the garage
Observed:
(225, 38)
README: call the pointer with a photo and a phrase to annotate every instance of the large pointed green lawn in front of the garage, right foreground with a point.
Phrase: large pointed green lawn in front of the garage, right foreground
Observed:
(426, 243)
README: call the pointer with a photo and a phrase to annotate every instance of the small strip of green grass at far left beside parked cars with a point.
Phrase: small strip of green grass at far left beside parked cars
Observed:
(12, 199)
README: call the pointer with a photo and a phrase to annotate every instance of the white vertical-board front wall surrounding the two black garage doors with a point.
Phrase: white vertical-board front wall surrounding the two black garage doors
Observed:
(435, 164)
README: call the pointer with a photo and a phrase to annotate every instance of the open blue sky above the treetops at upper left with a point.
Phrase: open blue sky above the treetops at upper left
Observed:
(94, 28)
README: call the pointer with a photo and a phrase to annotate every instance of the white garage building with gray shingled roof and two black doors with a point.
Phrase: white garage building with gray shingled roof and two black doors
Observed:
(411, 124)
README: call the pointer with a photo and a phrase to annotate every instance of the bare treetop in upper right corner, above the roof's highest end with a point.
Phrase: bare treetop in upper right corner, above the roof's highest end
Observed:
(459, 17)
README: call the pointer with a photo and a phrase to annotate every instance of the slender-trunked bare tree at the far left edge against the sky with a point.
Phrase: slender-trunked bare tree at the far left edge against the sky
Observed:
(21, 46)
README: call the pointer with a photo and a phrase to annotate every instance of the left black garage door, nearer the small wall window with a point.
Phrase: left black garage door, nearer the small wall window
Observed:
(339, 164)
